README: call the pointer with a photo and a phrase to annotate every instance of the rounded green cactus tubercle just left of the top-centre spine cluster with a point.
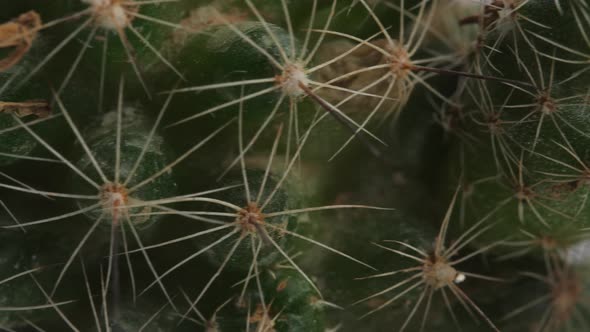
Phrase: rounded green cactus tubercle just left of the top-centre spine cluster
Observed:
(218, 66)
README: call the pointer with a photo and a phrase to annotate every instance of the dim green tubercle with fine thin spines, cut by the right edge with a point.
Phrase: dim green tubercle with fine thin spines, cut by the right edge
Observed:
(519, 209)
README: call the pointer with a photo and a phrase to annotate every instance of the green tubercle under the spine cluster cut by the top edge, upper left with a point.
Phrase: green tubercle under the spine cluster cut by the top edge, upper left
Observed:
(118, 37)
